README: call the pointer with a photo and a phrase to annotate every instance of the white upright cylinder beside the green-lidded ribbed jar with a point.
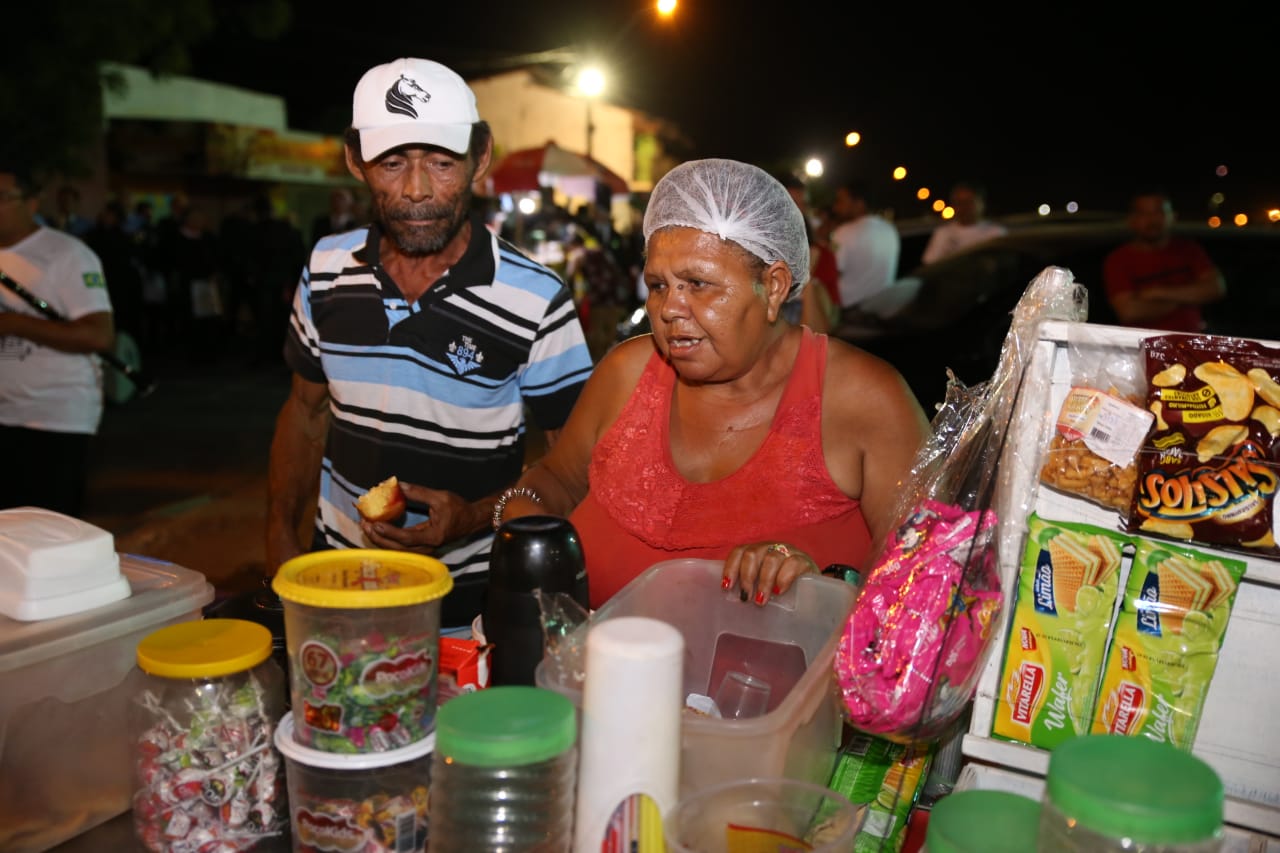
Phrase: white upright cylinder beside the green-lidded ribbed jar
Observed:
(632, 714)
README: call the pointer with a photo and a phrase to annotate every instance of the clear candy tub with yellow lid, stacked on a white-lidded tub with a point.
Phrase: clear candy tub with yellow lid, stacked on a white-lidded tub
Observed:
(363, 631)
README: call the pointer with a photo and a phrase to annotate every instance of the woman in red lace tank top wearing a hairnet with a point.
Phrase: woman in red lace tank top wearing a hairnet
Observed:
(728, 434)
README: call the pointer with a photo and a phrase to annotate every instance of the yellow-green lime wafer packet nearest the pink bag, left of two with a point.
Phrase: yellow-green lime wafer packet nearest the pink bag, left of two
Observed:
(1067, 592)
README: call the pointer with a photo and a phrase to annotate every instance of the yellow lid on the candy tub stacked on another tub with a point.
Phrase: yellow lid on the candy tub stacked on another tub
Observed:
(362, 580)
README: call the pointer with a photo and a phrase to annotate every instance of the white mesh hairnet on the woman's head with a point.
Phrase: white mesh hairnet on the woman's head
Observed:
(737, 202)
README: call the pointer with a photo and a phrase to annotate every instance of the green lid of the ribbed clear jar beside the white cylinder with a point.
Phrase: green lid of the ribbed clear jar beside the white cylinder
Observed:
(505, 727)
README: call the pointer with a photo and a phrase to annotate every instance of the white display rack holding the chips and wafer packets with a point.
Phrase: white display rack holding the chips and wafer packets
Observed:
(1240, 732)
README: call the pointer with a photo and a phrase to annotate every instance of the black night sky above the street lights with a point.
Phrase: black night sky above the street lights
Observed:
(1044, 107)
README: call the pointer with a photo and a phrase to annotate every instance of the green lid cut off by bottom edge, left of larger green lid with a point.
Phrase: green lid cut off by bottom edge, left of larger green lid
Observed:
(993, 822)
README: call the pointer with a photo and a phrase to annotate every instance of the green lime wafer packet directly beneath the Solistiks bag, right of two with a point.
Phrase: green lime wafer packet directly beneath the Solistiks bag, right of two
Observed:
(1165, 647)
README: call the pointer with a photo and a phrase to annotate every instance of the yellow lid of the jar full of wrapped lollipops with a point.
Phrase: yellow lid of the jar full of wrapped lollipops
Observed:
(204, 649)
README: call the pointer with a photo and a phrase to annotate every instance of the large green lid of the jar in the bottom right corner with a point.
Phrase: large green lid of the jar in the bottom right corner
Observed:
(1136, 788)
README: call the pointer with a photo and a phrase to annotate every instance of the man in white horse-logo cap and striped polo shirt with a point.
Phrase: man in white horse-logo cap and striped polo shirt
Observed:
(419, 345)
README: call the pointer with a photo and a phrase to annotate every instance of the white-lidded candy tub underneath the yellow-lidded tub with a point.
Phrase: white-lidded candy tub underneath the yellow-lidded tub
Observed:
(364, 802)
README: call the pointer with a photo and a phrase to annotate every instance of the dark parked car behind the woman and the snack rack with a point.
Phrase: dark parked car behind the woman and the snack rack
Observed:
(957, 313)
